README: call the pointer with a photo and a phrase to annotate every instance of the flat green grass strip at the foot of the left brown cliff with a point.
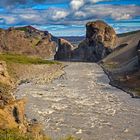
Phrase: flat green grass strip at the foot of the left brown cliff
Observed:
(23, 59)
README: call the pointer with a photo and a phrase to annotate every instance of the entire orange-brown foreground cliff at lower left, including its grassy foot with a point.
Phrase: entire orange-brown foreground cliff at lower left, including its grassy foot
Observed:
(13, 123)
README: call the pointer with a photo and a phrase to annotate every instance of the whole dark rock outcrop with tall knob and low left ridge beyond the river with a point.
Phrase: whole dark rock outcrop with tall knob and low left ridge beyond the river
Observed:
(100, 41)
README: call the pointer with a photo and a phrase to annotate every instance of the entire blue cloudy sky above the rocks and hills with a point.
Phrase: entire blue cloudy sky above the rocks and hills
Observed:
(68, 17)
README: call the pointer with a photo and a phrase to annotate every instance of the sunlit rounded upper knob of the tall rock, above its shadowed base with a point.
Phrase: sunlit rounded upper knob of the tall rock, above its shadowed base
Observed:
(100, 32)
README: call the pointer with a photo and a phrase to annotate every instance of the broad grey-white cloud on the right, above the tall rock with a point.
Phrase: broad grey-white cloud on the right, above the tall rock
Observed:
(109, 11)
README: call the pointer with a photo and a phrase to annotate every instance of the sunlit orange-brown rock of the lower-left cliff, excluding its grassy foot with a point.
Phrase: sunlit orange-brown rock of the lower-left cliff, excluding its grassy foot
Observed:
(11, 110)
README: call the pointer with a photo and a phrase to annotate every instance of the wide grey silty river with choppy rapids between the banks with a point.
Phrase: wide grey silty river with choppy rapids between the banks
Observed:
(83, 104)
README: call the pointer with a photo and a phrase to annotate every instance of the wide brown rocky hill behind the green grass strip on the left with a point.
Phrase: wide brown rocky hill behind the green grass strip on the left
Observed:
(27, 40)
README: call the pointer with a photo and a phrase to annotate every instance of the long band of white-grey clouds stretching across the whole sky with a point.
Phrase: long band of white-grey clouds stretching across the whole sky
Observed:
(71, 16)
